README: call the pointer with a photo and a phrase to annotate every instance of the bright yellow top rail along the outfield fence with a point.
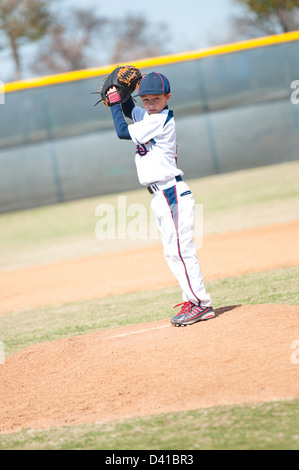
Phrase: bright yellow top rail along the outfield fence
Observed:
(151, 62)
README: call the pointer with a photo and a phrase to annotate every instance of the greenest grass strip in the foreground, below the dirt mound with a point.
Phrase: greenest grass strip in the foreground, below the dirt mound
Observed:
(266, 426)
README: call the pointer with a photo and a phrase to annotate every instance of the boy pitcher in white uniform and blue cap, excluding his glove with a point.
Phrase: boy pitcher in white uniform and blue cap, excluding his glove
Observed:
(153, 132)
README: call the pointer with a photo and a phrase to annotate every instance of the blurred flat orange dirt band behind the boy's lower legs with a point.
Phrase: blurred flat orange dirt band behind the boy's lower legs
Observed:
(222, 255)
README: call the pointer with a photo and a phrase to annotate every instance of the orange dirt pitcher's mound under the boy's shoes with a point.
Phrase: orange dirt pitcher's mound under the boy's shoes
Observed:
(242, 355)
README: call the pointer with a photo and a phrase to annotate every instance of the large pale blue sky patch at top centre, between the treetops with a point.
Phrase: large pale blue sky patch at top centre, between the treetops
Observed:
(193, 24)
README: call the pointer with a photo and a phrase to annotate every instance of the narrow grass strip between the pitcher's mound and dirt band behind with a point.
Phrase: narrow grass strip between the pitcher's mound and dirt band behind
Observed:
(31, 326)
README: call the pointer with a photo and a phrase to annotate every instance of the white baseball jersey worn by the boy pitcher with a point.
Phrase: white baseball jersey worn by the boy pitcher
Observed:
(156, 151)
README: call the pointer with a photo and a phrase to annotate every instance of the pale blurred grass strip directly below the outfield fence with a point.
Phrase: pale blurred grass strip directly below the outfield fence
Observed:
(231, 201)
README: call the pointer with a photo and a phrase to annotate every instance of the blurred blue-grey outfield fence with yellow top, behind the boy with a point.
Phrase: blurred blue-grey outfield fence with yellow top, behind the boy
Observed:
(236, 107)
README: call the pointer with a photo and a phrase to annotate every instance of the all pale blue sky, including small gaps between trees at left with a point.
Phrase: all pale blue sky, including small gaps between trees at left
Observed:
(192, 24)
